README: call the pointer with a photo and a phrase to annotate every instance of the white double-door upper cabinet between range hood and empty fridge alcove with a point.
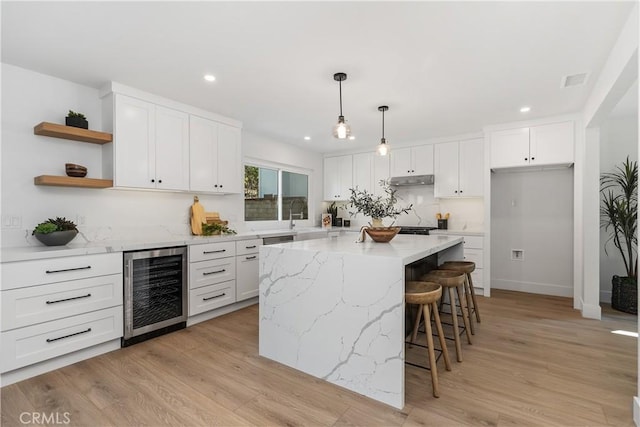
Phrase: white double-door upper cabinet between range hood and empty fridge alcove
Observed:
(458, 169)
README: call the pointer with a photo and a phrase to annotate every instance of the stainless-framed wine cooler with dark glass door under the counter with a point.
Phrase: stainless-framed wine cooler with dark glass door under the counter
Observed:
(155, 293)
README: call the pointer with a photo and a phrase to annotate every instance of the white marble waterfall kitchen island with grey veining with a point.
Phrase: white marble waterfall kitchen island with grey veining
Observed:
(335, 309)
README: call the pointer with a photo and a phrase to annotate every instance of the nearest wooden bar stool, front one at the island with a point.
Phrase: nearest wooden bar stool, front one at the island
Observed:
(426, 295)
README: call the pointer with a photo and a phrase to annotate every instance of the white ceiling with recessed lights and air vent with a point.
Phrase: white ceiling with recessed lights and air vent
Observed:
(443, 68)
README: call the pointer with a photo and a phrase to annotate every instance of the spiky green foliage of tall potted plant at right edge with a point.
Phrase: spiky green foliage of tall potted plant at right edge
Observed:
(619, 212)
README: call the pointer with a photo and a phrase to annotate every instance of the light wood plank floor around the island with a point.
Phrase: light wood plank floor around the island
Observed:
(534, 362)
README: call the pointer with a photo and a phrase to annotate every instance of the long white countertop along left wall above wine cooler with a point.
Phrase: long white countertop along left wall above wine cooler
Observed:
(80, 247)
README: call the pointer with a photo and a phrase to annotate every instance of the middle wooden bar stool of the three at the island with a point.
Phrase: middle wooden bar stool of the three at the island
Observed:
(451, 279)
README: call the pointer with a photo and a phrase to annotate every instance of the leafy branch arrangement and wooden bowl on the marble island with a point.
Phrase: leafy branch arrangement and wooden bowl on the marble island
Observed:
(378, 208)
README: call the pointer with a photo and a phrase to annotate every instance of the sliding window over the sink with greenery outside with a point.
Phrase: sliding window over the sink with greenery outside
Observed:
(273, 194)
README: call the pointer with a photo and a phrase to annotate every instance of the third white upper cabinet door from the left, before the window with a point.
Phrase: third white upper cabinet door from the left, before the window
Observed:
(203, 154)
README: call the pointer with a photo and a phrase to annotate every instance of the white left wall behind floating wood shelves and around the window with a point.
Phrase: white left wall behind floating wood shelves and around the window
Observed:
(29, 98)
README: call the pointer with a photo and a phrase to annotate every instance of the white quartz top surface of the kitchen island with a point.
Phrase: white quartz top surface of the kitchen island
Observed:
(409, 248)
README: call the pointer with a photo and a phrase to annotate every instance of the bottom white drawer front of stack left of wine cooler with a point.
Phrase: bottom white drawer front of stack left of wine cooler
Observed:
(33, 344)
